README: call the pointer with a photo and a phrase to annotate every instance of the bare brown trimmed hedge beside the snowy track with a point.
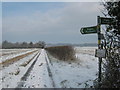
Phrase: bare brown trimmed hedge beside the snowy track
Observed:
(62, 52)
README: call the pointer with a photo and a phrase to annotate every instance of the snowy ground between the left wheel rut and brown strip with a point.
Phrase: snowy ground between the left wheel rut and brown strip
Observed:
(14, 72)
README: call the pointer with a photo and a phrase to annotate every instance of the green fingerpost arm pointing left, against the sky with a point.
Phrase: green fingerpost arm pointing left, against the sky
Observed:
(89, 30)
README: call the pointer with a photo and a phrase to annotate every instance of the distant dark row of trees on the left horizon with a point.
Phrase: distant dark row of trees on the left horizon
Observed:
(10, 45)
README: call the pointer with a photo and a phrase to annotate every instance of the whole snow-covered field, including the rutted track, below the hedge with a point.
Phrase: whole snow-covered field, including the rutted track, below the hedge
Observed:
(41, 70)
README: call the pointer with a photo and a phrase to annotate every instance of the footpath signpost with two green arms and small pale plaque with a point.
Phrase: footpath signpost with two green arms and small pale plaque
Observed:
(100, 52)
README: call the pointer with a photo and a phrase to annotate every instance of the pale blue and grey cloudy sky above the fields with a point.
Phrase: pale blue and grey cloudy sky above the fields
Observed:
(52, 22)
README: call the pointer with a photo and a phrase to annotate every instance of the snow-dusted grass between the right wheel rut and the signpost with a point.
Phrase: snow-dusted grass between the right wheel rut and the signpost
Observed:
(77, 74)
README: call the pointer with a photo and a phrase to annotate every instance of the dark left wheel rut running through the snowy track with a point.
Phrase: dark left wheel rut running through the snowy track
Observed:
(24, 78)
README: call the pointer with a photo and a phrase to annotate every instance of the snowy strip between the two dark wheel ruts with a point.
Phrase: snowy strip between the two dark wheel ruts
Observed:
(39, 77)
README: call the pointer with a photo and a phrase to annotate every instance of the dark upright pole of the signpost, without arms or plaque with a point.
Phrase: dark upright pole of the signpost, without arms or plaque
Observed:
(99, 47)
